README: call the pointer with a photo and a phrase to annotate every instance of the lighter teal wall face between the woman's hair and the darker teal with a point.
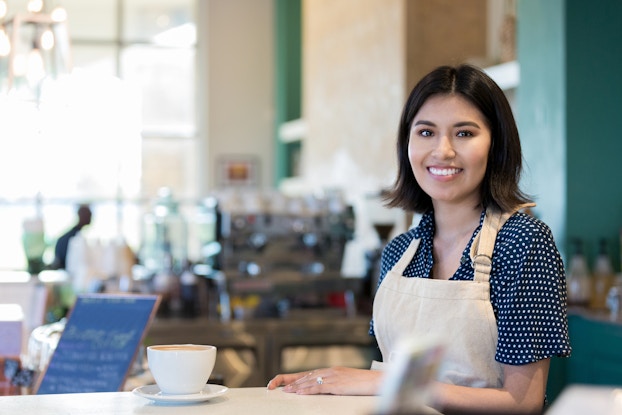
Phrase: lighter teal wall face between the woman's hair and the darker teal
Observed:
(540, 108)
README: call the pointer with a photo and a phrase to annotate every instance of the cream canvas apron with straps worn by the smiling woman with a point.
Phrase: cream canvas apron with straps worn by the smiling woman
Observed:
(459, 312)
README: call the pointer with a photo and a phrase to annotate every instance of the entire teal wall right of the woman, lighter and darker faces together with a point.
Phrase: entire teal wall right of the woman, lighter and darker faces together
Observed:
(568, 106)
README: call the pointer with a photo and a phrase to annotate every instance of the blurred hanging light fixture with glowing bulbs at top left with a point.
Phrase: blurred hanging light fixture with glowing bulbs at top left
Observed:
(34, 46)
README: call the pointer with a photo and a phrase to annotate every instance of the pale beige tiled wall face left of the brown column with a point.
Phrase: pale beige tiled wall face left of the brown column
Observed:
(353, 76)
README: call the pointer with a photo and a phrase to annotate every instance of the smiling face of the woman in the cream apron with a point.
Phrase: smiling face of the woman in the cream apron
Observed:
(448, 149)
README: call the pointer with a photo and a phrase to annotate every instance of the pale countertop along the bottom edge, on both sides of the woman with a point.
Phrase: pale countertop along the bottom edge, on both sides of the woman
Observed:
(575, 400)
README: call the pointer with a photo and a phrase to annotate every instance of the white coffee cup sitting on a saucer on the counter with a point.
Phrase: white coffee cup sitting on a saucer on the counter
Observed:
(181, 369)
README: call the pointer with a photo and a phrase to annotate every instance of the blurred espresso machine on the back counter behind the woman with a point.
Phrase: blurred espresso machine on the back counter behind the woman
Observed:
(285, 253)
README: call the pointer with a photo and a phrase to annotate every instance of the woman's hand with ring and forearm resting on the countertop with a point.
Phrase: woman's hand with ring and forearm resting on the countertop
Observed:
(334, 380)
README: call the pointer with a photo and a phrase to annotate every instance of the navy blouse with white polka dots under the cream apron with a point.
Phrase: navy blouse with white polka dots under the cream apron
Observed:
(527, 285)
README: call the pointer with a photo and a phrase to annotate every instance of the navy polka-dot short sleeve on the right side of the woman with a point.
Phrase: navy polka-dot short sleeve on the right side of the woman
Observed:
(528, 293)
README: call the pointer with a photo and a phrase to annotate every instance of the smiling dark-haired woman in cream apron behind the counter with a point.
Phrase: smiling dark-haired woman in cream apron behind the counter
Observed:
(475, 270)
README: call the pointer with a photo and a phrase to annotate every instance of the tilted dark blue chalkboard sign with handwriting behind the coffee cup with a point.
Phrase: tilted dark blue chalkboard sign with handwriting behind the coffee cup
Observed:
(99, 343)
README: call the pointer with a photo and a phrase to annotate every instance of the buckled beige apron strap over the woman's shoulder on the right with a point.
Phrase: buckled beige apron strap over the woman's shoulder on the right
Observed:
(484, 242)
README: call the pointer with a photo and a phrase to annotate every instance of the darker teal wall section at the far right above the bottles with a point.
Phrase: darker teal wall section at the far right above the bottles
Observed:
(594, 120)
